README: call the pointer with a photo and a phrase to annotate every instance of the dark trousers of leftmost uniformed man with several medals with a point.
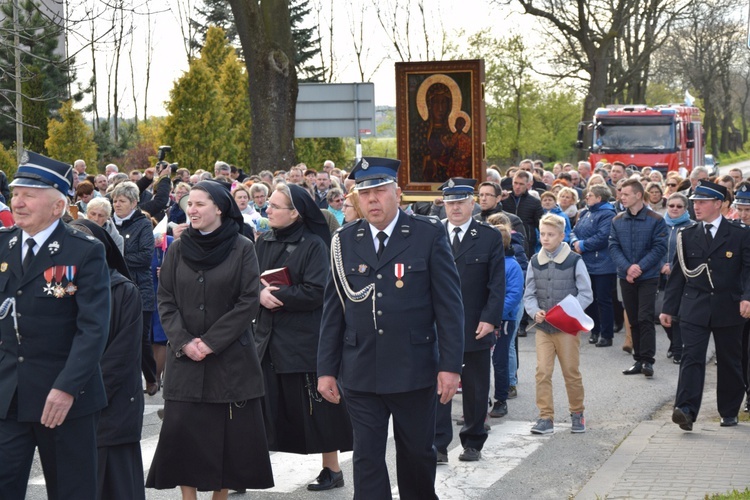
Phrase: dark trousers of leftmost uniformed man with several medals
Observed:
(68, 455)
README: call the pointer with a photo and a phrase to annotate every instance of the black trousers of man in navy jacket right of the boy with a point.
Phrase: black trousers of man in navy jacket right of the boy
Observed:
(639, 299)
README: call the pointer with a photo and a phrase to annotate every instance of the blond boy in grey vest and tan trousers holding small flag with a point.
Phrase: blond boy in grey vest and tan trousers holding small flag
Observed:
(554, 273)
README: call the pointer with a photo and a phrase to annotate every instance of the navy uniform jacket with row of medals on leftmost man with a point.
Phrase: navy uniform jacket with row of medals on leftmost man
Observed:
(62, 339)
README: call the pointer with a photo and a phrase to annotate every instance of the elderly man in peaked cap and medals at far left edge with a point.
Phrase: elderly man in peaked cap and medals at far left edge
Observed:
(54, 322)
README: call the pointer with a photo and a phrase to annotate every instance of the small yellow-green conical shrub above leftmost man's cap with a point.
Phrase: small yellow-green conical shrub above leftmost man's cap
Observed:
(70, 138)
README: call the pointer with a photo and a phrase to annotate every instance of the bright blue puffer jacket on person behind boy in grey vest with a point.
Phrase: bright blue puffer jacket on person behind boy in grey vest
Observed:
(592, 234)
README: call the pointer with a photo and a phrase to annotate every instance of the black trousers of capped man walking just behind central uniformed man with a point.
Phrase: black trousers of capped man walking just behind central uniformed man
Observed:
(475, 387)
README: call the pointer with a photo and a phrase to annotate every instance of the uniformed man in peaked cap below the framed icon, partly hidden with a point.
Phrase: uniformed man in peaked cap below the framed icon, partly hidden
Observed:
(479, 255)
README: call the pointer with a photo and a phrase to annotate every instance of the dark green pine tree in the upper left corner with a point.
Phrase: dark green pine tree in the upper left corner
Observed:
(45, 70)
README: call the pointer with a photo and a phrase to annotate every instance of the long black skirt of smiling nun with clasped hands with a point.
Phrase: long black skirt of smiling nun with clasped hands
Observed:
(212, 446)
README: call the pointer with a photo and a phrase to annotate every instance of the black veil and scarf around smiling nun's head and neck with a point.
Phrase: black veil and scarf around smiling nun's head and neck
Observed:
(206, 251)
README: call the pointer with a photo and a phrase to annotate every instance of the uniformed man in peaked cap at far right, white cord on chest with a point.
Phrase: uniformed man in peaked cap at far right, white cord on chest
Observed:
(709, 291)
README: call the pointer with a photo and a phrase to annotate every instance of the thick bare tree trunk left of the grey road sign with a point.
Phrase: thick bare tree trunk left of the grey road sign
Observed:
(265, 33)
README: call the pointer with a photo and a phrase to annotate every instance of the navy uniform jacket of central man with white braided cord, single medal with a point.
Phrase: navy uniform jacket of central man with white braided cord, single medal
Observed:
(419, 325)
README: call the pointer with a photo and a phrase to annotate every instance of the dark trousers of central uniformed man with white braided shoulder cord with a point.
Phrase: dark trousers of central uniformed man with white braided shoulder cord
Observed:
(413, 429)
